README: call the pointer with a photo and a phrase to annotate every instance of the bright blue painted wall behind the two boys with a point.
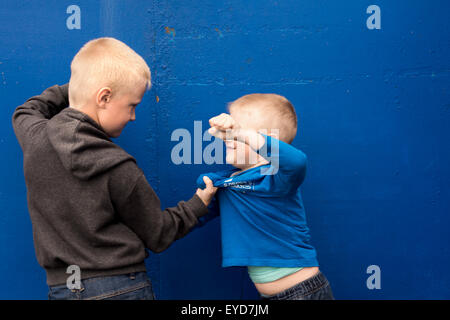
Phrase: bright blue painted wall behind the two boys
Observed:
(374, 120)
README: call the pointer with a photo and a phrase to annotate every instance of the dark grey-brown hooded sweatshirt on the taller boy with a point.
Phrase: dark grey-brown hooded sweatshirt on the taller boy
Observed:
(89, 203)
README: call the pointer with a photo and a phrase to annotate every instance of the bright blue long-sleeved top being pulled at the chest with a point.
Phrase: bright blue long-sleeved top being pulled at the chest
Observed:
(262, 215)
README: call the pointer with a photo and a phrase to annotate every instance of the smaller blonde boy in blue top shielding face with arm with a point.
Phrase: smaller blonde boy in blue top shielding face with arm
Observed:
(262, 216)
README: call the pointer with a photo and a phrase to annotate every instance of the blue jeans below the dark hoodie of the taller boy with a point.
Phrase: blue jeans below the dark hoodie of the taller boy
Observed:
(132, 286)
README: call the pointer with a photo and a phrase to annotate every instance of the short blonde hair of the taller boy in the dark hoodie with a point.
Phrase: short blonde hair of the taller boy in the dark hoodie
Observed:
(106, 62)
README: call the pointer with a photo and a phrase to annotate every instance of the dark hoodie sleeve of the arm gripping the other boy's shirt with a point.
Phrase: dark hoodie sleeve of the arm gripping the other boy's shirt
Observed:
(141, 211)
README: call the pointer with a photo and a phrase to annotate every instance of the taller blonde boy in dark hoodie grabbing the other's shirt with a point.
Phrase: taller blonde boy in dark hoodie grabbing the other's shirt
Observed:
(90, 205)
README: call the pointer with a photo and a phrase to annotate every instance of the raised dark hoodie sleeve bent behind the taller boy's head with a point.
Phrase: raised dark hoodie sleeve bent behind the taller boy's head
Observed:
(37, 110)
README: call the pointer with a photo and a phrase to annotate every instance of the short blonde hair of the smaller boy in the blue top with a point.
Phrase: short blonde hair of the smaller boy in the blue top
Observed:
(276, 112)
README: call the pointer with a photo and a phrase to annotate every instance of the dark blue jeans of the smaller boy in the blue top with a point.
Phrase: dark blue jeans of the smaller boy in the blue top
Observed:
(314, 288)
